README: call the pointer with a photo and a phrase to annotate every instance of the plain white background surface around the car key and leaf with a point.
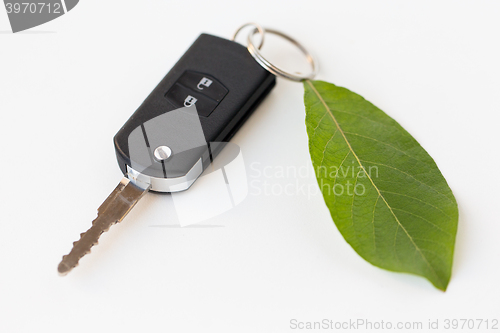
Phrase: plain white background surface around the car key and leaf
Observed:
(67, 86)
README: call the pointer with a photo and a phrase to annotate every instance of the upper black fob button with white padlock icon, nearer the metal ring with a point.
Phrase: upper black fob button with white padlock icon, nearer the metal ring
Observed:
(205, 84)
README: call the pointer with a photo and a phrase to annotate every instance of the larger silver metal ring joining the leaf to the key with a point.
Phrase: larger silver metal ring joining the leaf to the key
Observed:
(276, 70)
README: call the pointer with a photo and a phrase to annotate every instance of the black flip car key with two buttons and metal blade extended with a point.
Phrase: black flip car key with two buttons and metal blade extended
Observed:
(166, 144)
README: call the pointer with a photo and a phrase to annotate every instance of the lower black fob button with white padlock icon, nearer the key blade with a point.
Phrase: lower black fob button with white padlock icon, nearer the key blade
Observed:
(181, 96)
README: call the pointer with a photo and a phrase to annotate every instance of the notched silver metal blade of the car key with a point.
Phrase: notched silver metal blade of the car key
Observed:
(113, 210)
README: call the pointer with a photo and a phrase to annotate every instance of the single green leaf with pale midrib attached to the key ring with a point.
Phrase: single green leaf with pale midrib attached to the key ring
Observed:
(384, 192)
